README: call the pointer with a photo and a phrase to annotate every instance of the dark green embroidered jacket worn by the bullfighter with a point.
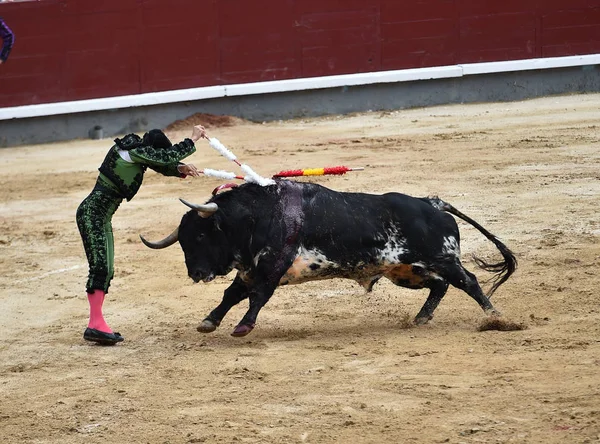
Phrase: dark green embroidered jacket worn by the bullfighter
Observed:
(125, 178)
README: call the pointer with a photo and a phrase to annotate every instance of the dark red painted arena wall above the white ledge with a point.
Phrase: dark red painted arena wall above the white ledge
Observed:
(79, 49)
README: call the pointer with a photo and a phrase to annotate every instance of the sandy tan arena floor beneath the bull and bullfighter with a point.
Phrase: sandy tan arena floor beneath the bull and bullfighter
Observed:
(326, 363)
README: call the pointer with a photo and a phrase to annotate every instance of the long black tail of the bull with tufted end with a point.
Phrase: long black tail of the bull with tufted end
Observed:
(502, 270)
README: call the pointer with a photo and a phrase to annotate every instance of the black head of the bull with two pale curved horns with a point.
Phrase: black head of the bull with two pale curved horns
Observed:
(205, 245)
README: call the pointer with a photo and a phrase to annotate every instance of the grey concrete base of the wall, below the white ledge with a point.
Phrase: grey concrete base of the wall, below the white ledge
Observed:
(499, 87)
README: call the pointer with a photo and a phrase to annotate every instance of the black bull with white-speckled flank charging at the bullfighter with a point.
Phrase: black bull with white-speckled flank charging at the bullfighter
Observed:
(292, 232)
